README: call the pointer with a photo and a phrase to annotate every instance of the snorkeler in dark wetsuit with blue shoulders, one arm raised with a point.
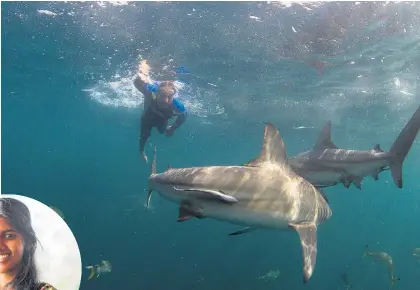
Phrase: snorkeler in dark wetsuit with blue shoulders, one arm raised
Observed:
(160, 105)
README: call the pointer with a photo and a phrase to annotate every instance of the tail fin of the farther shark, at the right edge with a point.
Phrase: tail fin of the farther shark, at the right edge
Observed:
(402, 145)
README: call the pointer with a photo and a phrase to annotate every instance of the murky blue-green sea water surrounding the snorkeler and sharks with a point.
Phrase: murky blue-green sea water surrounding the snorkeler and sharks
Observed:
(70, 125)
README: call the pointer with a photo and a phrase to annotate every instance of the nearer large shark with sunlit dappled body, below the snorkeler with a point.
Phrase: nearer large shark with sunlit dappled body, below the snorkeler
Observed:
(265, 193)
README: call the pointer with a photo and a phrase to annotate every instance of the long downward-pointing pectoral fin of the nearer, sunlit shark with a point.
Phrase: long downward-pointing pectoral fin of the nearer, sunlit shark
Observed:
(308, 240)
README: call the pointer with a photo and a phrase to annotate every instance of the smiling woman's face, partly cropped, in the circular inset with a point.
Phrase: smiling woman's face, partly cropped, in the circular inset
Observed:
(11, 247)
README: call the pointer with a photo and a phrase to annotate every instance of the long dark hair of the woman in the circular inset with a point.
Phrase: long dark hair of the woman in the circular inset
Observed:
(19, 217)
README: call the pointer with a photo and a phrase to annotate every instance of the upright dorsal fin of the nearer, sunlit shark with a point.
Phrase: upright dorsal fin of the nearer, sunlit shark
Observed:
(273, 149)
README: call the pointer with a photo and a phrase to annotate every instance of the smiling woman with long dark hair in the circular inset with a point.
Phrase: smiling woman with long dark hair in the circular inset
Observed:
(17, 248)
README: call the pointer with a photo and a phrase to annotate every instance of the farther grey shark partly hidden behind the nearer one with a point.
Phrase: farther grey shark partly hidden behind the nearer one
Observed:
(326, 165)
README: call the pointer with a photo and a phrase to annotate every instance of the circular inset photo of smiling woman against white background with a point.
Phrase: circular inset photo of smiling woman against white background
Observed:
(37, 249)
